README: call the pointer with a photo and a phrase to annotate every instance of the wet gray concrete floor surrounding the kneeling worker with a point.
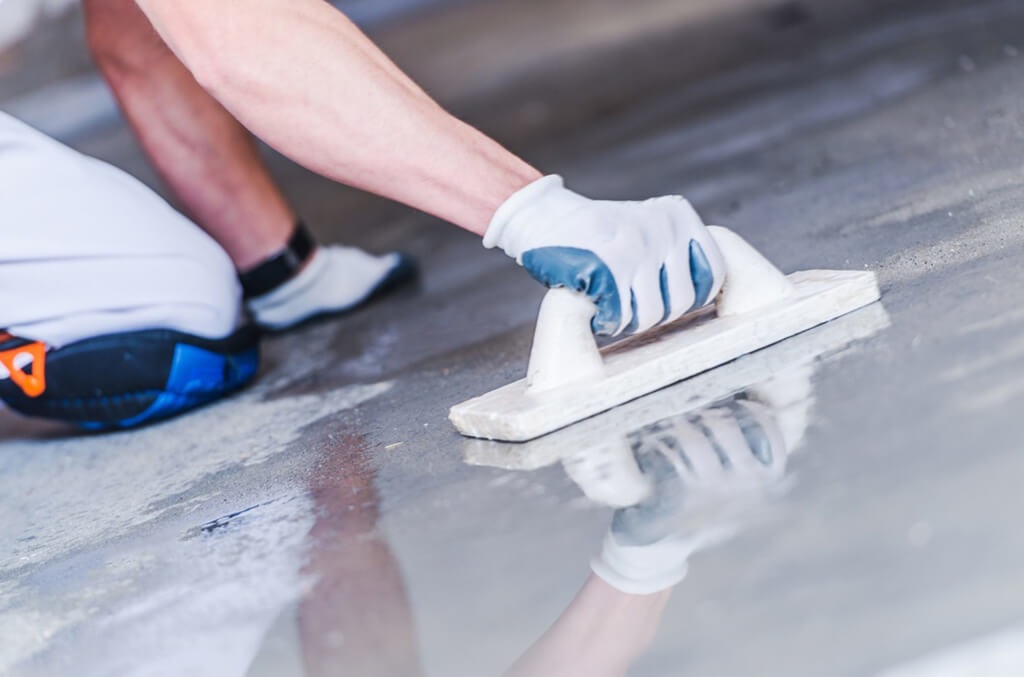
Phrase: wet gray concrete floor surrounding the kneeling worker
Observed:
(328, 514)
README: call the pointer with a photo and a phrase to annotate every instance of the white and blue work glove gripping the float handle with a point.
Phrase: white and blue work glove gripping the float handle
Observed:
(643, 264)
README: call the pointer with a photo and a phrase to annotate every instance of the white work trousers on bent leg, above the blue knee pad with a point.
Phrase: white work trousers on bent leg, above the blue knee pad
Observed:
(87, 250)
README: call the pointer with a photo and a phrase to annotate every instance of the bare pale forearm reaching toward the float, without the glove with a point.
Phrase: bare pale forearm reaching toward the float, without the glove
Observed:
(307, 80)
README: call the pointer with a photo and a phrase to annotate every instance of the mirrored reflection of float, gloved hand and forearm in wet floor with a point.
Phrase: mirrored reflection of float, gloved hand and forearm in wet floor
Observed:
(686, 470)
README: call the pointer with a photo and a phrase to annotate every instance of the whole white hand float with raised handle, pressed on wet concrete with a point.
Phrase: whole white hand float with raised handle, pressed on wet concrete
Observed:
(570, 379)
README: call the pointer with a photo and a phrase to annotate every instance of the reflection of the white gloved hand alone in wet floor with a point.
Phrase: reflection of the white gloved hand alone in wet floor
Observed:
(706, 469)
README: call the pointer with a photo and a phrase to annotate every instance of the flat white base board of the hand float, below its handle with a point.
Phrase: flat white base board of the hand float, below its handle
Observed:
(637, 366)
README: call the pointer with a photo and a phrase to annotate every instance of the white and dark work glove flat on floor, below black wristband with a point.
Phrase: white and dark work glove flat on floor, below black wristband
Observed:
(337, 279)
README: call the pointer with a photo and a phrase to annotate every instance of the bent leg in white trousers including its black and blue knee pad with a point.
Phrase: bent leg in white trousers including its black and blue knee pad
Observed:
(118, 310)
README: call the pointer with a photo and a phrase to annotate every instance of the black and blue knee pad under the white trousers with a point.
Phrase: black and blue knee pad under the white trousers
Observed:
(126, 380)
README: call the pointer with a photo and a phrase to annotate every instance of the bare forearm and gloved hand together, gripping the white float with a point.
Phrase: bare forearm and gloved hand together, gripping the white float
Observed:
(308, 81)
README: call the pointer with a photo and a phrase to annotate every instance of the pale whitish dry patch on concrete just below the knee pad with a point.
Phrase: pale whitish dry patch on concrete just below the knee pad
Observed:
(63, 495)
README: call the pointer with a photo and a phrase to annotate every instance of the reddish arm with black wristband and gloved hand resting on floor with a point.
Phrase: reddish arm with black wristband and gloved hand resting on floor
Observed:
(210, 163)
